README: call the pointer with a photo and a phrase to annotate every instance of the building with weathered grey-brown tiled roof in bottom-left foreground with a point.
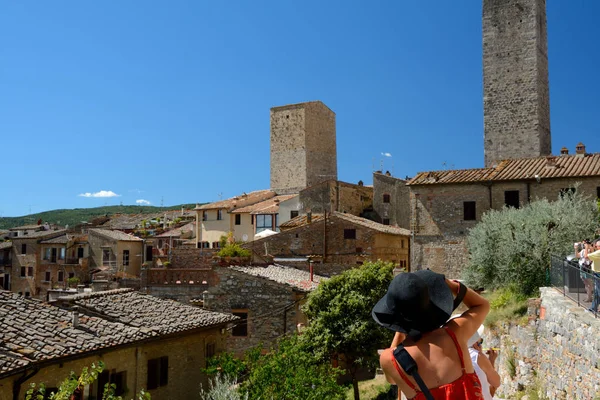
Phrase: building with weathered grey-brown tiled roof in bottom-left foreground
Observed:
(145, 343)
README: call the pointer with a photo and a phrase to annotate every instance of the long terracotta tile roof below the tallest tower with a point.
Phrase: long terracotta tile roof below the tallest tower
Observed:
(563, 166)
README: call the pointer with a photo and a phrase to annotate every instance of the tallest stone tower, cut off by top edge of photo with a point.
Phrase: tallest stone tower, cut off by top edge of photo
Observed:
(516, 104)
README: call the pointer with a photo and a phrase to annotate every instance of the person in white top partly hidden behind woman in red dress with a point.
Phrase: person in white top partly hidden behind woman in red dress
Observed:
(484, 366)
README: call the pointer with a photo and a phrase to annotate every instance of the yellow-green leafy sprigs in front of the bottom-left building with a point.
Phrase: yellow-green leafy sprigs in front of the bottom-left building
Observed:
(75, 383)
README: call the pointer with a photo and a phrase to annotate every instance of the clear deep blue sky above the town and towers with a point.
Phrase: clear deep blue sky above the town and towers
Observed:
(169, 101)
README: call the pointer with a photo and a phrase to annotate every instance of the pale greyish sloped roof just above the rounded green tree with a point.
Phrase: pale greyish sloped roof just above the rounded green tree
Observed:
(293, 277)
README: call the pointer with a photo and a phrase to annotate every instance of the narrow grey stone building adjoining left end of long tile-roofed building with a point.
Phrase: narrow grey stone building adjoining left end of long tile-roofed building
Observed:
(390, 200)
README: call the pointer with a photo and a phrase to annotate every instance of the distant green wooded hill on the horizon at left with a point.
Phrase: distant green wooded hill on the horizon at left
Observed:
(76, 216)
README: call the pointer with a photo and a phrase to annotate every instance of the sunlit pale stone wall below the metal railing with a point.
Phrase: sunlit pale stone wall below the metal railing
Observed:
(556, 350)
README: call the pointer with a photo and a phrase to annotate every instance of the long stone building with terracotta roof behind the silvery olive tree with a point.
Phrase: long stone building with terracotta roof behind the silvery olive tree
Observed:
(444, 205)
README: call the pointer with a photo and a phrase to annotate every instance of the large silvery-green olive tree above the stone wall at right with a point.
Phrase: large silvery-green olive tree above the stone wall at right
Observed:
(512, 247)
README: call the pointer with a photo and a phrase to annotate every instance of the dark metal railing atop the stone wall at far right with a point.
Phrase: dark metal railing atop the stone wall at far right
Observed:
(569, 278)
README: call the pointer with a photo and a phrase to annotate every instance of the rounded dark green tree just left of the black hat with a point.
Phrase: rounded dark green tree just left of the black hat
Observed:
(340, 323)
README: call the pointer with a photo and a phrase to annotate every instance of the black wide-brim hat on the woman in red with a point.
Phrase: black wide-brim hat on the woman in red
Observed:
(415, 303)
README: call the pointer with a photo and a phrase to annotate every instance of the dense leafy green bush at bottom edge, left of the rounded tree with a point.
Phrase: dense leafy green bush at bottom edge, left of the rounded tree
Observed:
(290, 372)
